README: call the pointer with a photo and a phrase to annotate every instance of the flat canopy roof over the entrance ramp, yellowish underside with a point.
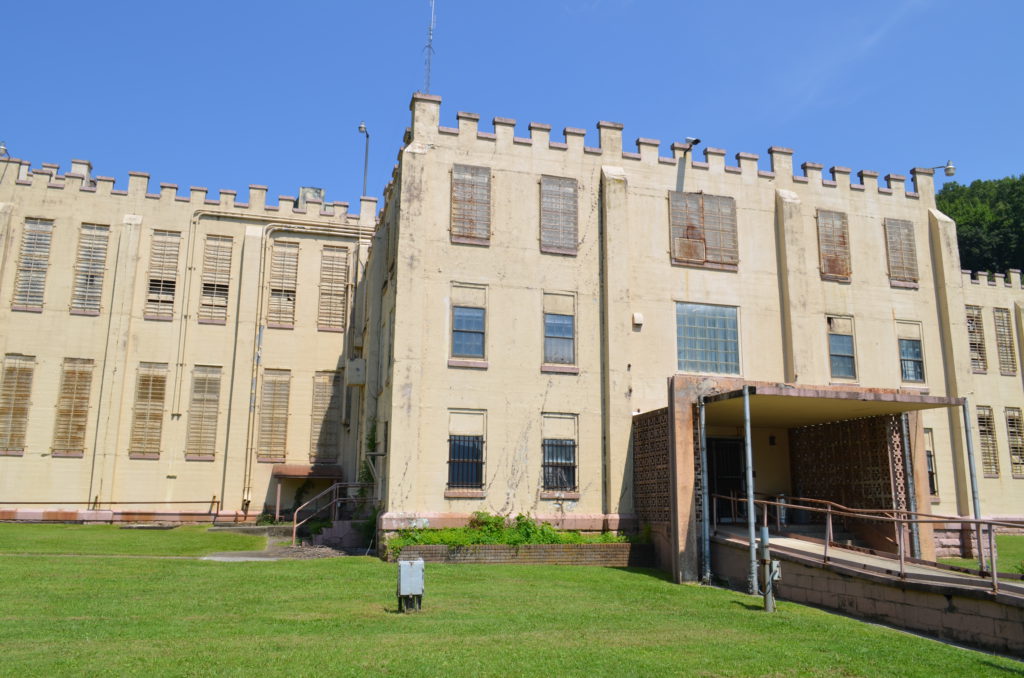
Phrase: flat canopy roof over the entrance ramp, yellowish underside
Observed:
(789, 407)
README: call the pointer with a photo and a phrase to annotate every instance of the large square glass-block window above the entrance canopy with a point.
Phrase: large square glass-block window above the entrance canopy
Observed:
(707, 338)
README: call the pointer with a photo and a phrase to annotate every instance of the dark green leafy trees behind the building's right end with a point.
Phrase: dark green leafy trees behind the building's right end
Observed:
(990, 217)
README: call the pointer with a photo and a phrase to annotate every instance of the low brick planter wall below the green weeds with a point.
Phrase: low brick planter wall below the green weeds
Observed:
(606, 556)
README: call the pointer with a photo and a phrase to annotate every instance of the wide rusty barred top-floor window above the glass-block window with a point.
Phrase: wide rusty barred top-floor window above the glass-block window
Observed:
(703, 230)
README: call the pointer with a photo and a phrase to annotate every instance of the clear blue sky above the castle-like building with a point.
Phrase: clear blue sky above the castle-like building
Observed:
(227, 94)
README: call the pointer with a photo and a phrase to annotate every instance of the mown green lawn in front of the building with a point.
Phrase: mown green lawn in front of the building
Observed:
(157, 617)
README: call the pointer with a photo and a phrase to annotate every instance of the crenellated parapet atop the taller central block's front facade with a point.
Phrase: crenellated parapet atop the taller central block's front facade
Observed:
(426, 130)
